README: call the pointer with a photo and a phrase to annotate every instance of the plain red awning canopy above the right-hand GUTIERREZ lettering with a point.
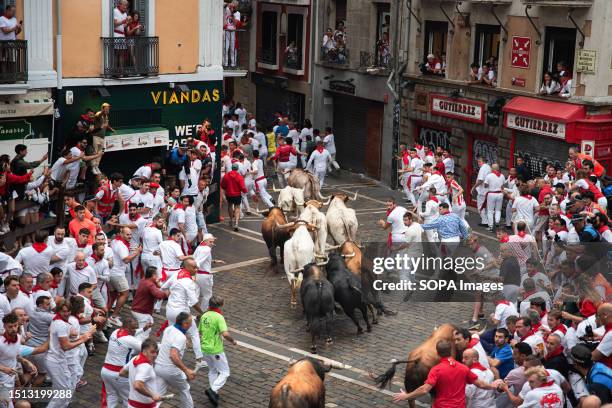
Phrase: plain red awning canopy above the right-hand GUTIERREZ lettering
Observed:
(547, 110)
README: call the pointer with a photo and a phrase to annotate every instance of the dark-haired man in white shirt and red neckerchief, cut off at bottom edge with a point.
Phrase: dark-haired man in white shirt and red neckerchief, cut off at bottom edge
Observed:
(142, 381)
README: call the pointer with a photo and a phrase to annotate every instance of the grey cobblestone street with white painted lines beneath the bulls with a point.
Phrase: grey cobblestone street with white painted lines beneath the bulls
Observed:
(271, 334)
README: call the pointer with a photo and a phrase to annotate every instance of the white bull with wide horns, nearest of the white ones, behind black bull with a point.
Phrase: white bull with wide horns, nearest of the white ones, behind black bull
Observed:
(298, 252)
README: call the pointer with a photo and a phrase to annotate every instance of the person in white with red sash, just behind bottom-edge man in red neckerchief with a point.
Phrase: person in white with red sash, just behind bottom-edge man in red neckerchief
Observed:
(122, 344)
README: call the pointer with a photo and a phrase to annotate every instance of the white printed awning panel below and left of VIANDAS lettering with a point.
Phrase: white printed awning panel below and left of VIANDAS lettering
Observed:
(137, 138)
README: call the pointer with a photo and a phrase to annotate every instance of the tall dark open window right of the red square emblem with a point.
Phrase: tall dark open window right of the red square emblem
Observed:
(560, 47)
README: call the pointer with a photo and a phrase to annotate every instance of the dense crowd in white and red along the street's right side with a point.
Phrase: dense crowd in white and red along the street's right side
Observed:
(548, 342)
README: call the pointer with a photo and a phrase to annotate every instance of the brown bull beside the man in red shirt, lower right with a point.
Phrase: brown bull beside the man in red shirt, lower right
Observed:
(420, 360)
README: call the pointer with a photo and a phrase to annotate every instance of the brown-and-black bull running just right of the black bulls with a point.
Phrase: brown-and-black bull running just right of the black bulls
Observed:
(362, 268)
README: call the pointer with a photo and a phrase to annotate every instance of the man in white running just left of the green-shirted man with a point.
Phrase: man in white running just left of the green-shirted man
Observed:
(185, 294)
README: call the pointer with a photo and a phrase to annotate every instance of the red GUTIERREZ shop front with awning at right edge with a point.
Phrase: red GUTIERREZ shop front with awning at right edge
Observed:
(543, 131)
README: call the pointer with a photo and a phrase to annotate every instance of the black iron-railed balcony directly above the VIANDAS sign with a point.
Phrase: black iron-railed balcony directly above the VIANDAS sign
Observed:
(130, 57)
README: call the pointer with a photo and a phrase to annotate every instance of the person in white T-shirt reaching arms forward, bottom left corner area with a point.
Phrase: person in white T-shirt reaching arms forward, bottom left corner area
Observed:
(62, 339)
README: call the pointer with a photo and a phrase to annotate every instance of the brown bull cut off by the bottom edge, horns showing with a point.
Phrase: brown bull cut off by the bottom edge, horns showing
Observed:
(303, 386)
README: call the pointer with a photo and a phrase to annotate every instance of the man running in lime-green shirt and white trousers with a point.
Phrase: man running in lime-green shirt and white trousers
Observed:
(213, 329)
